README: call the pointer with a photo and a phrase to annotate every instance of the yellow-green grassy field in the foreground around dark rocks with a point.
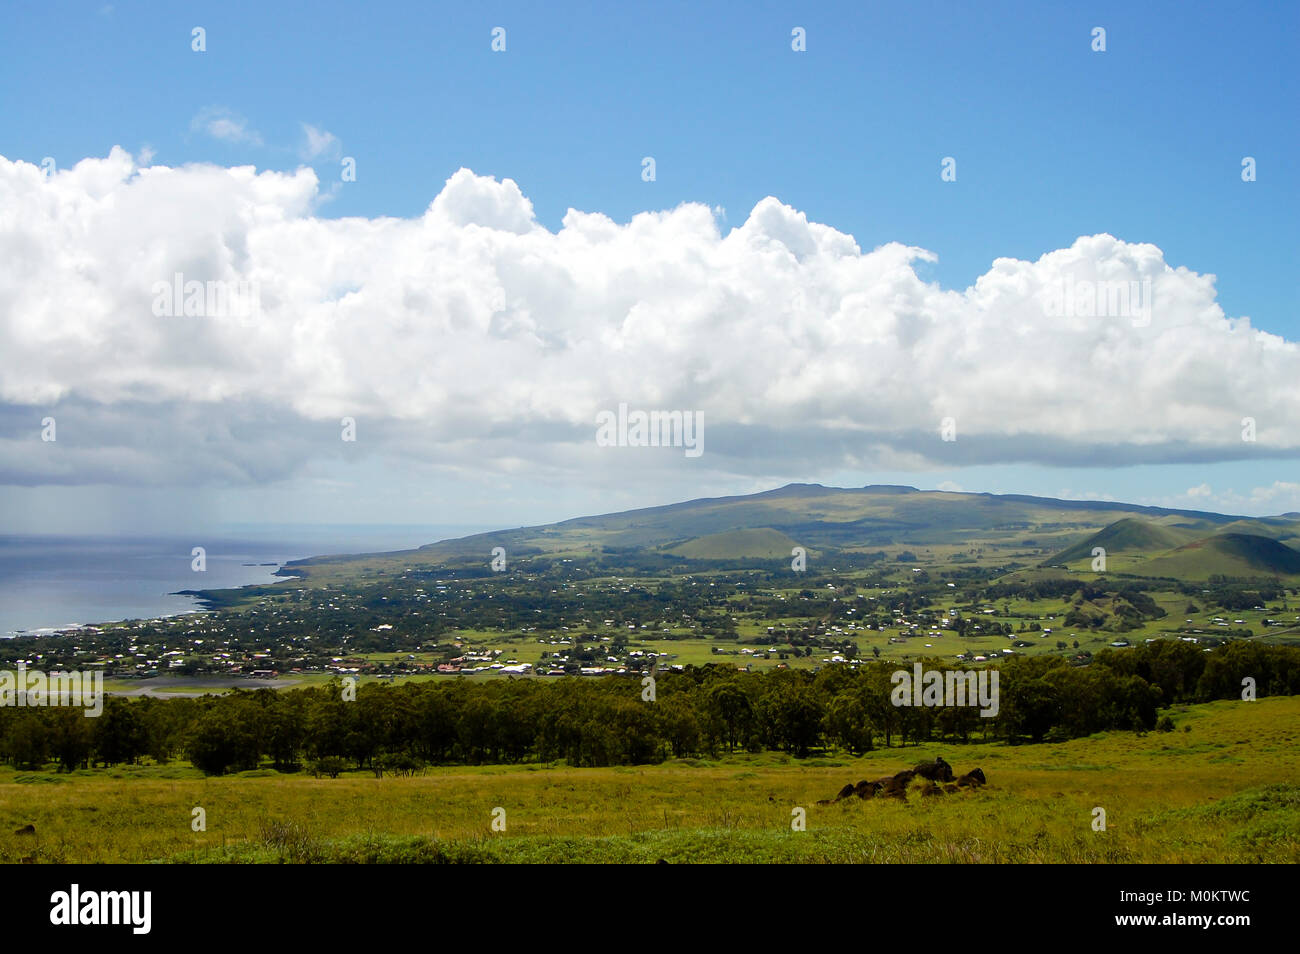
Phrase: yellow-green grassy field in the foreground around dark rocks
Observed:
(1224, 787)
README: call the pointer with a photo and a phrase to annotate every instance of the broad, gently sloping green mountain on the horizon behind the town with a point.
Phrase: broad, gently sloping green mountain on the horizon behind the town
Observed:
(827, 519)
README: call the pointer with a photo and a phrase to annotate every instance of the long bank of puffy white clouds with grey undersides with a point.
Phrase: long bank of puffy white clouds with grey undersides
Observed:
(475, 340)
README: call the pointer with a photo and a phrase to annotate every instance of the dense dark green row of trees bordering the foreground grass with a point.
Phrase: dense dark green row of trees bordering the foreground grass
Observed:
(610, 721)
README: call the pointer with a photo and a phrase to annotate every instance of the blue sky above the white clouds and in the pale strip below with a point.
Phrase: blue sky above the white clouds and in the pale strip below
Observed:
(1052, 141)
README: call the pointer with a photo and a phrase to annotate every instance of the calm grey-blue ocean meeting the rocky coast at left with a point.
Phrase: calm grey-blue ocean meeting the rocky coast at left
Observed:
(58, 582)
